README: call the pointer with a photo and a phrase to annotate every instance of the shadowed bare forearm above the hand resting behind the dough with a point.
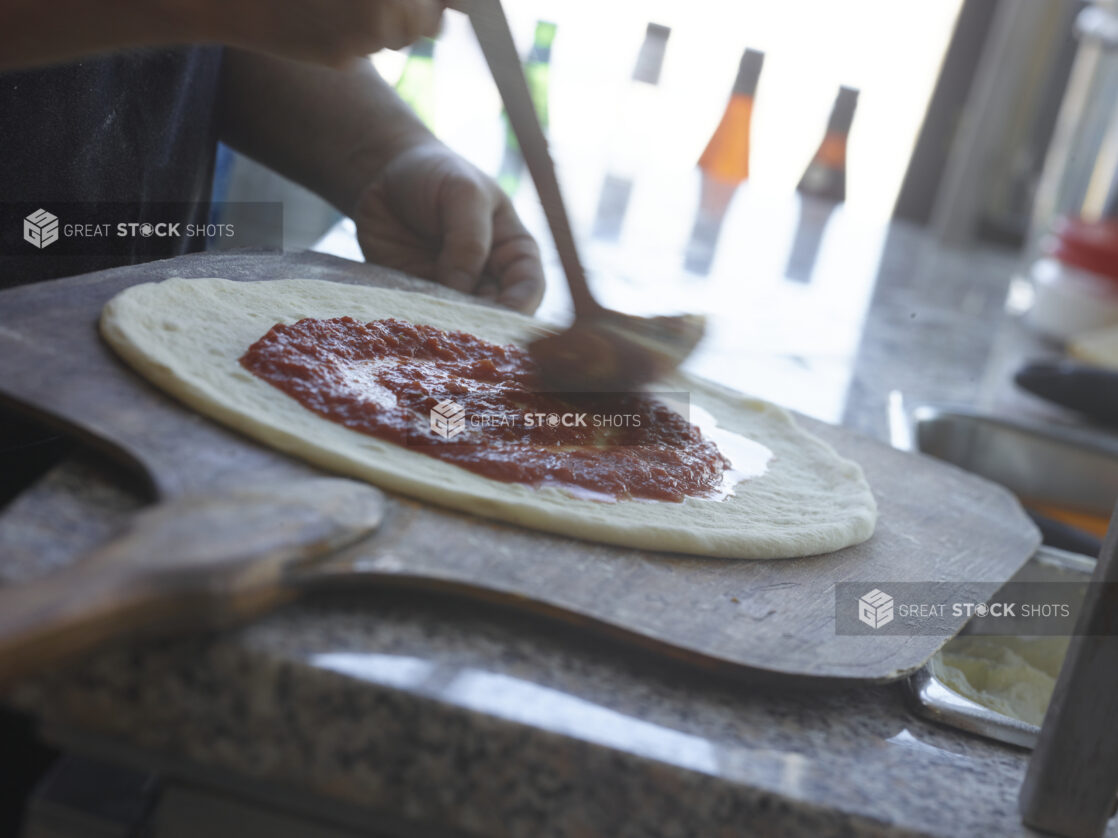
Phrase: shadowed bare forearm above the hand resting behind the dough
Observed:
(330, 130)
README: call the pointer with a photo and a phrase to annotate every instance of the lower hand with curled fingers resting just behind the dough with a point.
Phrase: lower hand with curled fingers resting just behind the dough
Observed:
(433, 215)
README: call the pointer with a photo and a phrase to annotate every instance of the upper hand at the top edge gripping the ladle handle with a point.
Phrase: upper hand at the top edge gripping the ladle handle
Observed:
(324, 32)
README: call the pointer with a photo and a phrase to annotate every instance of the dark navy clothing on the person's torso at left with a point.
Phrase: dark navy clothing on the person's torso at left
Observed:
(135, 131)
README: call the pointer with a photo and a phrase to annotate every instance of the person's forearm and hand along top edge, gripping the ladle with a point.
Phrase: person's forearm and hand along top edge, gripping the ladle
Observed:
(35, 33)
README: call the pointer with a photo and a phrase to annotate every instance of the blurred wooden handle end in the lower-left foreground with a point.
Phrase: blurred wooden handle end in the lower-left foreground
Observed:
(191, 564)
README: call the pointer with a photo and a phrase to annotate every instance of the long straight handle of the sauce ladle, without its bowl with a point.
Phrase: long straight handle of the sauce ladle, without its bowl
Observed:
(491, 26)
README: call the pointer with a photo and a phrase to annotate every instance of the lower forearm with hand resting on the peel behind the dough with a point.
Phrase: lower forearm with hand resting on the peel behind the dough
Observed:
(419, 207)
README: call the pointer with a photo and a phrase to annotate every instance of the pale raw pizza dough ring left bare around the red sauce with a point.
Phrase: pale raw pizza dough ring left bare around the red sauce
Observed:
(187, 337)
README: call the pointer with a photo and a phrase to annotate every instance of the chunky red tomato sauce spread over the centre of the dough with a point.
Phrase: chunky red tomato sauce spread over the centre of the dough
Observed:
(387, 377)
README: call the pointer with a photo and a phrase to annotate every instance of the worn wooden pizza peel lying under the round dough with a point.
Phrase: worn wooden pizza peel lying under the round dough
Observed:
(766, 621)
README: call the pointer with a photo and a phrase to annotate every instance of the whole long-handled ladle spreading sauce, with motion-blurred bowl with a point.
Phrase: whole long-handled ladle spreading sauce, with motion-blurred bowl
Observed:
(603, 350)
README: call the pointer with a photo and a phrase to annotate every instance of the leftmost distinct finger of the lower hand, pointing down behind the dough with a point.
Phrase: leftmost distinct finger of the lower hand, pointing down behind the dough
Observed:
(467, 220)
